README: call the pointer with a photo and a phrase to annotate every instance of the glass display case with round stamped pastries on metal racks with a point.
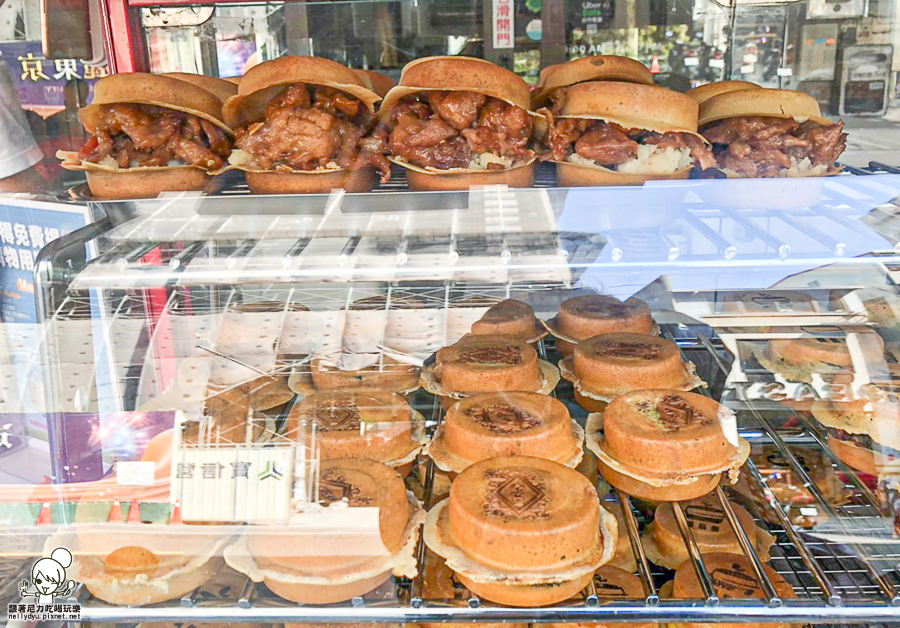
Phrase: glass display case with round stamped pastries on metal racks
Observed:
(279, 372)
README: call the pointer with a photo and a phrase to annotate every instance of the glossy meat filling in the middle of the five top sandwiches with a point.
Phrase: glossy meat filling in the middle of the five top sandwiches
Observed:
(445, 129)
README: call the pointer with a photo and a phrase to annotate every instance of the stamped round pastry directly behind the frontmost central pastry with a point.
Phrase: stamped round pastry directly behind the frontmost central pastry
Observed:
(488, 425)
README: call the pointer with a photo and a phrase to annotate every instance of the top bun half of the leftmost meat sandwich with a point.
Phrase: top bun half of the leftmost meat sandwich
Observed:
(152, 89)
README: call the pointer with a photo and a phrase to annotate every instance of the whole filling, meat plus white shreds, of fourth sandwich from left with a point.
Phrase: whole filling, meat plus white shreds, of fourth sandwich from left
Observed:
(629, 150)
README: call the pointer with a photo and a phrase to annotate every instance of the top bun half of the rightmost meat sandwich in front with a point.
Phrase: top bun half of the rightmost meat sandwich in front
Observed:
(777, 103)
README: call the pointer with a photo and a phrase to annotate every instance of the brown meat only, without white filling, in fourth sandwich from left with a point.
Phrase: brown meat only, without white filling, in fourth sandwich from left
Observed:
(610, 145)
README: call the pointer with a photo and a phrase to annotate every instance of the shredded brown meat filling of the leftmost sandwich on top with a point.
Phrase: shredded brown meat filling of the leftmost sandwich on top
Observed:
(145, 135)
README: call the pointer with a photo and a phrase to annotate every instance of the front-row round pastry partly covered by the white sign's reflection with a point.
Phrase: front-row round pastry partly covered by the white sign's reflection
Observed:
(302, 566)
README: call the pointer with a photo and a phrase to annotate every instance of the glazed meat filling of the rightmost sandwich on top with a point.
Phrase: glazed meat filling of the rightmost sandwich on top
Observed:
(756, 146)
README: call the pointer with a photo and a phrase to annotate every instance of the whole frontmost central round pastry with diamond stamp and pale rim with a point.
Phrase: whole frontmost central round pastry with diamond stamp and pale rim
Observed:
(522, 531)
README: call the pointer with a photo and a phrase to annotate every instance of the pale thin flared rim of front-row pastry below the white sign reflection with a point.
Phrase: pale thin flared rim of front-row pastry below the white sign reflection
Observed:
(401, 564)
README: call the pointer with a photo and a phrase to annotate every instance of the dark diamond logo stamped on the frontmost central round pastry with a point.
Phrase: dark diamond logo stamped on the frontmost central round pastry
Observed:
(515, 495)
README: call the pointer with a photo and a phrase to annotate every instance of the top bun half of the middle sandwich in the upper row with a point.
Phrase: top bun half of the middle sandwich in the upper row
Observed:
(459, 74)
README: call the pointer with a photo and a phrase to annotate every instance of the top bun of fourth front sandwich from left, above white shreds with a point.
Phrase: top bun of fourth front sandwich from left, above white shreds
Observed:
(632, 106)
